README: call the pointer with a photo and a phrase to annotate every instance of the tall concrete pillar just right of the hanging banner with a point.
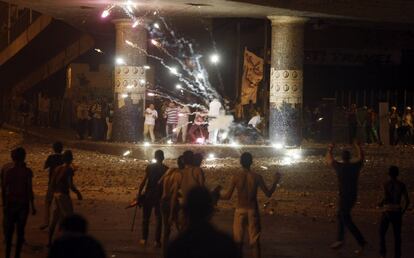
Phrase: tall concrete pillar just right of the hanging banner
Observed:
(286, 80)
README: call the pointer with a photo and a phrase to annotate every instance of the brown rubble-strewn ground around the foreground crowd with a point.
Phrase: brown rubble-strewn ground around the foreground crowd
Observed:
(302, 226)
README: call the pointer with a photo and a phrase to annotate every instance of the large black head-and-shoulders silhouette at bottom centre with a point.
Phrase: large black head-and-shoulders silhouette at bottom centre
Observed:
(200, 238)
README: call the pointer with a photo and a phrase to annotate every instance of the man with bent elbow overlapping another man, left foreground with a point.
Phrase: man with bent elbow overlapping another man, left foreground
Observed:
(61, 184)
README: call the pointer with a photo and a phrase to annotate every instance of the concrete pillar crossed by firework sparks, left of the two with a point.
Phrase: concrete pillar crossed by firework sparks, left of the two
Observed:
(130, 81)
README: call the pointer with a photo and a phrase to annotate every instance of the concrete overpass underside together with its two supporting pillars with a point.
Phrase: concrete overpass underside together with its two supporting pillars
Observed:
(288, 18)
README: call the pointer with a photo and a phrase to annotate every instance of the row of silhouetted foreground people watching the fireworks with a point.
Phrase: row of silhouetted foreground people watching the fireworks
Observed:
(179, 198)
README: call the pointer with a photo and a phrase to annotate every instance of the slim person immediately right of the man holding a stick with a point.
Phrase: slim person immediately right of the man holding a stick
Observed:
(169, 206)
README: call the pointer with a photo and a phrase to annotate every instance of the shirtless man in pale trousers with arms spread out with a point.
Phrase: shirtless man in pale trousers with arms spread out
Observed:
(247, 183)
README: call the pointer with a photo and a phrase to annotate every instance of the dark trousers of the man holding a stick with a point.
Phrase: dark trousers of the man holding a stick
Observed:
(146, 215)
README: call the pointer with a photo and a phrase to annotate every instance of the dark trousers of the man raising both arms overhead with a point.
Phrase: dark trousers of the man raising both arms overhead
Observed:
(345, 220)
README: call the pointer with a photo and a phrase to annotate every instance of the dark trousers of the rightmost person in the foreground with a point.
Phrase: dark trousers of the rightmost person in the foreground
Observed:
(395, 218)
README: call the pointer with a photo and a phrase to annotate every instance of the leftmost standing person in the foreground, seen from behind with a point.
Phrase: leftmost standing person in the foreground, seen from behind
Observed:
(17, 196)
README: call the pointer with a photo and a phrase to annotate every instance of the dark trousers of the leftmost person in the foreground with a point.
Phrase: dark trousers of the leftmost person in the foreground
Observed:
(15, 216)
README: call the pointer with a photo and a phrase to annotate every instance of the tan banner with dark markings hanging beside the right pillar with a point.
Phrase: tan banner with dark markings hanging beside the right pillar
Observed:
(252, 75)
